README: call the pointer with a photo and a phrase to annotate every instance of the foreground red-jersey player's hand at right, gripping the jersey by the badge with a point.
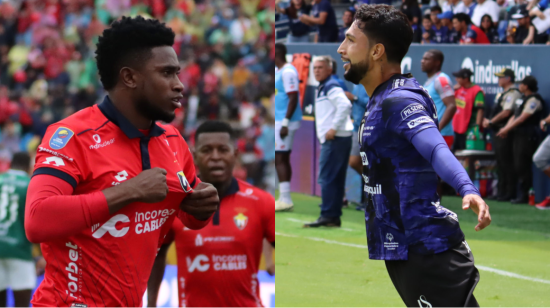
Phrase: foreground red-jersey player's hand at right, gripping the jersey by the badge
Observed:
(202, 202)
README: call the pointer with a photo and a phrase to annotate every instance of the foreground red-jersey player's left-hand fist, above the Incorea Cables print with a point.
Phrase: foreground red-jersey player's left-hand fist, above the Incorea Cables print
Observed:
(150, 185)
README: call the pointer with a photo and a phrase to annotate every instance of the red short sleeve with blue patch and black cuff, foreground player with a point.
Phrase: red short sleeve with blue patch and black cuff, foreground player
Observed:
(60, 154)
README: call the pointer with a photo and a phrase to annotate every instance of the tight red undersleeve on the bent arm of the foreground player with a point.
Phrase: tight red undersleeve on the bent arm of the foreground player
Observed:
(52, 212)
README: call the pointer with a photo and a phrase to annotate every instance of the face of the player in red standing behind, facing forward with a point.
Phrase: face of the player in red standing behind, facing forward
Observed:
(215, 156)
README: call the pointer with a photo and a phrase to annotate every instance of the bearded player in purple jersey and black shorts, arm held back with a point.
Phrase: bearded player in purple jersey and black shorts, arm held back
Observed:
(403, 152)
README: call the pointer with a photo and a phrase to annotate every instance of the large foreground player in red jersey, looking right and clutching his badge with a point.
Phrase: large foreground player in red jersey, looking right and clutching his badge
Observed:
(109, 180)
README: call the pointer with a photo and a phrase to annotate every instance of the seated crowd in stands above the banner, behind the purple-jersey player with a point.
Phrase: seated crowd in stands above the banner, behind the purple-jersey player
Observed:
(433, 21)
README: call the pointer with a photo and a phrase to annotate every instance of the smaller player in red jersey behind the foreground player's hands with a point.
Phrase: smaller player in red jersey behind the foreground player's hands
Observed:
(218, 265)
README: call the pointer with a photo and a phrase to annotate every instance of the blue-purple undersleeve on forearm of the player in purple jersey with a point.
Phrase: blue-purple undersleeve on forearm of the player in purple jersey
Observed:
(431, 145)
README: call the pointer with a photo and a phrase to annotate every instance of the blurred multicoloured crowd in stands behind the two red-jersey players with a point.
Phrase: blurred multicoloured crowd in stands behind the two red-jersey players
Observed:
(48, 72)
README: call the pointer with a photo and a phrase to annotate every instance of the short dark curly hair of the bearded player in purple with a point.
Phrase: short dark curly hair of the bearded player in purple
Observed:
(388, 26)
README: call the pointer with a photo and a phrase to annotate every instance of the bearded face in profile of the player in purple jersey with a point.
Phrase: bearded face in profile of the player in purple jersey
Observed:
(355, 54)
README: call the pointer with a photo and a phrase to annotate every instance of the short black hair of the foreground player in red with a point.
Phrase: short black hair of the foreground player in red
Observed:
(128, 42)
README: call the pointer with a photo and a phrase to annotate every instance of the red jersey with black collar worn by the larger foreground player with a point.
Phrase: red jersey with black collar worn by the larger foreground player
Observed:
(109, 264)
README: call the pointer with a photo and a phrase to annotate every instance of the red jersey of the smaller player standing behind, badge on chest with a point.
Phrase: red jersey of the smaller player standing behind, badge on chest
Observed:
(218, 265)
